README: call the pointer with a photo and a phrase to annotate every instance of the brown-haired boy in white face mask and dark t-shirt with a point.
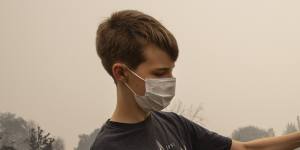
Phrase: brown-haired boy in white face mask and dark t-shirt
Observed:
(139, 53)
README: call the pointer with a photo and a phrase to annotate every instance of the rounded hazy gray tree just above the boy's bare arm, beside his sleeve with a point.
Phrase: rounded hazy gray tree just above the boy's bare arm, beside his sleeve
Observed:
(249, 133)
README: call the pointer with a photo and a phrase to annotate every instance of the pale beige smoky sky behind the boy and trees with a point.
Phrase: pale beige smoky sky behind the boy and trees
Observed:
(239, 59)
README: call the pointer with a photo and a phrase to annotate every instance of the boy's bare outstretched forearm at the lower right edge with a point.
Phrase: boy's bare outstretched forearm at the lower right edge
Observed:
(285, 142)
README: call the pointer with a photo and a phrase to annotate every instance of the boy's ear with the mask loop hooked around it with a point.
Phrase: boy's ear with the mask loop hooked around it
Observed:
(119, 72)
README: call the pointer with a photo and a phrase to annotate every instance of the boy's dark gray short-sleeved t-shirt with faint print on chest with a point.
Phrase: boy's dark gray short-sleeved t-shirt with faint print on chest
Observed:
(159, 131)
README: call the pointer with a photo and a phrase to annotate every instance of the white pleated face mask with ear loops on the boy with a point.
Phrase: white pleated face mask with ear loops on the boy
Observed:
(158, 95)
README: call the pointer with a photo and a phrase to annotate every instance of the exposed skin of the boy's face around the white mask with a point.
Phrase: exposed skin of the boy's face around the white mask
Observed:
(157, 65)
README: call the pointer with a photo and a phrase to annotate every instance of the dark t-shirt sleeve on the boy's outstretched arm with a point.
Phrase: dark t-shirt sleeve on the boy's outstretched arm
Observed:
(202, 138)
